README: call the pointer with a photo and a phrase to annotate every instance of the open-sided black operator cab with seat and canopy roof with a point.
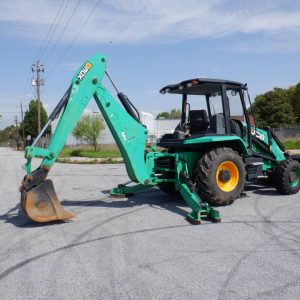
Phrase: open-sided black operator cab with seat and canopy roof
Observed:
(209, 107)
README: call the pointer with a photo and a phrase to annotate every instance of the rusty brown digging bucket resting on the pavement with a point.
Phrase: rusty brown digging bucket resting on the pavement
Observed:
(41, 204)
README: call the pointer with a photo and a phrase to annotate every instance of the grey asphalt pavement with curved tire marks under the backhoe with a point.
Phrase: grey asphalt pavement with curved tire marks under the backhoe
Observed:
(142, 247)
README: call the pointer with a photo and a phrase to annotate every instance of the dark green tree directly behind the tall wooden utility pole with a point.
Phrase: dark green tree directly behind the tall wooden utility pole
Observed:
(31, 119)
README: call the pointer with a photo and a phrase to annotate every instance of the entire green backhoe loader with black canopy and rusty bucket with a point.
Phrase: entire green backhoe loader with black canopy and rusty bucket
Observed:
(214, 149)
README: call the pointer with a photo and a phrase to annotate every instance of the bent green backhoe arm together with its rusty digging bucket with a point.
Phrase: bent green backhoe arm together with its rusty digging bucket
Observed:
(38, 198)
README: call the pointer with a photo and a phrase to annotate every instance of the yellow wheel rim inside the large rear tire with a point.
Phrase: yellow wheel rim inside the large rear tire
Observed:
(227, 176)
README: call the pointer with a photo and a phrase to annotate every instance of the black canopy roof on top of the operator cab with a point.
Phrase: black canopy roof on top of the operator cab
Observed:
(200, 86)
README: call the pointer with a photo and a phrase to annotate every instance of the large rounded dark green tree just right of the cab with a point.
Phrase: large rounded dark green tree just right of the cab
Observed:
(274, 109)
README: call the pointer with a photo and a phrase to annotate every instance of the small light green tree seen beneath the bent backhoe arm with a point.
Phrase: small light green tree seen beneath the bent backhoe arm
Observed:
(89, 128)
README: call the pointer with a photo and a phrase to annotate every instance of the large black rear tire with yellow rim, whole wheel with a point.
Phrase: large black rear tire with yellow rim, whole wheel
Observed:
(220, 176)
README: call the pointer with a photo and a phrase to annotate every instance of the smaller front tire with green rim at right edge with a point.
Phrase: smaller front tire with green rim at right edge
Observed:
(287, 177)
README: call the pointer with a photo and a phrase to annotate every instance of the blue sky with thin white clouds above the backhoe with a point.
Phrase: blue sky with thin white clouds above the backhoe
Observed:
(149, 44)
